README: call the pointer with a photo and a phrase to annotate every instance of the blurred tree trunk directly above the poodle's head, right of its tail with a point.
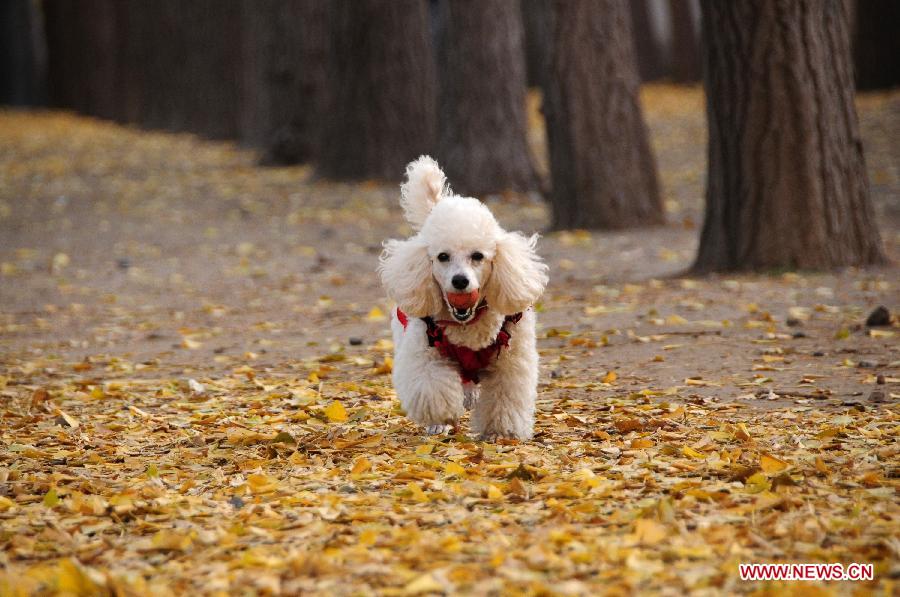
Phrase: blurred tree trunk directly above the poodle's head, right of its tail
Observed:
(482, 142)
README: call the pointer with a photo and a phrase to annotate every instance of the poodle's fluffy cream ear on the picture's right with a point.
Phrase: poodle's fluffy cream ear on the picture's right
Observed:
(518, 277)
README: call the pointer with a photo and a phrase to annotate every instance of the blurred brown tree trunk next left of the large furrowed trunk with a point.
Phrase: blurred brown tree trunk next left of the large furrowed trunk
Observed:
(602, 169)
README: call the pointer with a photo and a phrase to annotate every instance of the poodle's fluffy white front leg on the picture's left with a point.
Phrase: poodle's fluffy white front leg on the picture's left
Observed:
(429, 390)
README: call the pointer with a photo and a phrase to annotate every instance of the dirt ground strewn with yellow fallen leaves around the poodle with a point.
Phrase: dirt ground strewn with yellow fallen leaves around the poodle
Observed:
(195, 390)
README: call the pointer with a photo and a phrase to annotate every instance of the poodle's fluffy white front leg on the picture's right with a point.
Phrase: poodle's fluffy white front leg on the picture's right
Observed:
(505, 407)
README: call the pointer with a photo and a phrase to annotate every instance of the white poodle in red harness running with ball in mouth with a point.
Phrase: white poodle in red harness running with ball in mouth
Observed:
(464, 289)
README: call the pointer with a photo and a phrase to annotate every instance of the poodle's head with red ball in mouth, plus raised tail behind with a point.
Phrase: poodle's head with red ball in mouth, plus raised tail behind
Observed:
(460, 257)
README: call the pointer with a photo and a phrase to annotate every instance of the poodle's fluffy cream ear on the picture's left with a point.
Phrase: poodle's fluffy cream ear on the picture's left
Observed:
(405, 271)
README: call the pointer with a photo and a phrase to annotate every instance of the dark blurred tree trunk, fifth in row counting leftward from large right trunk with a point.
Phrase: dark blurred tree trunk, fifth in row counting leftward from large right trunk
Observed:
(284, 74)
